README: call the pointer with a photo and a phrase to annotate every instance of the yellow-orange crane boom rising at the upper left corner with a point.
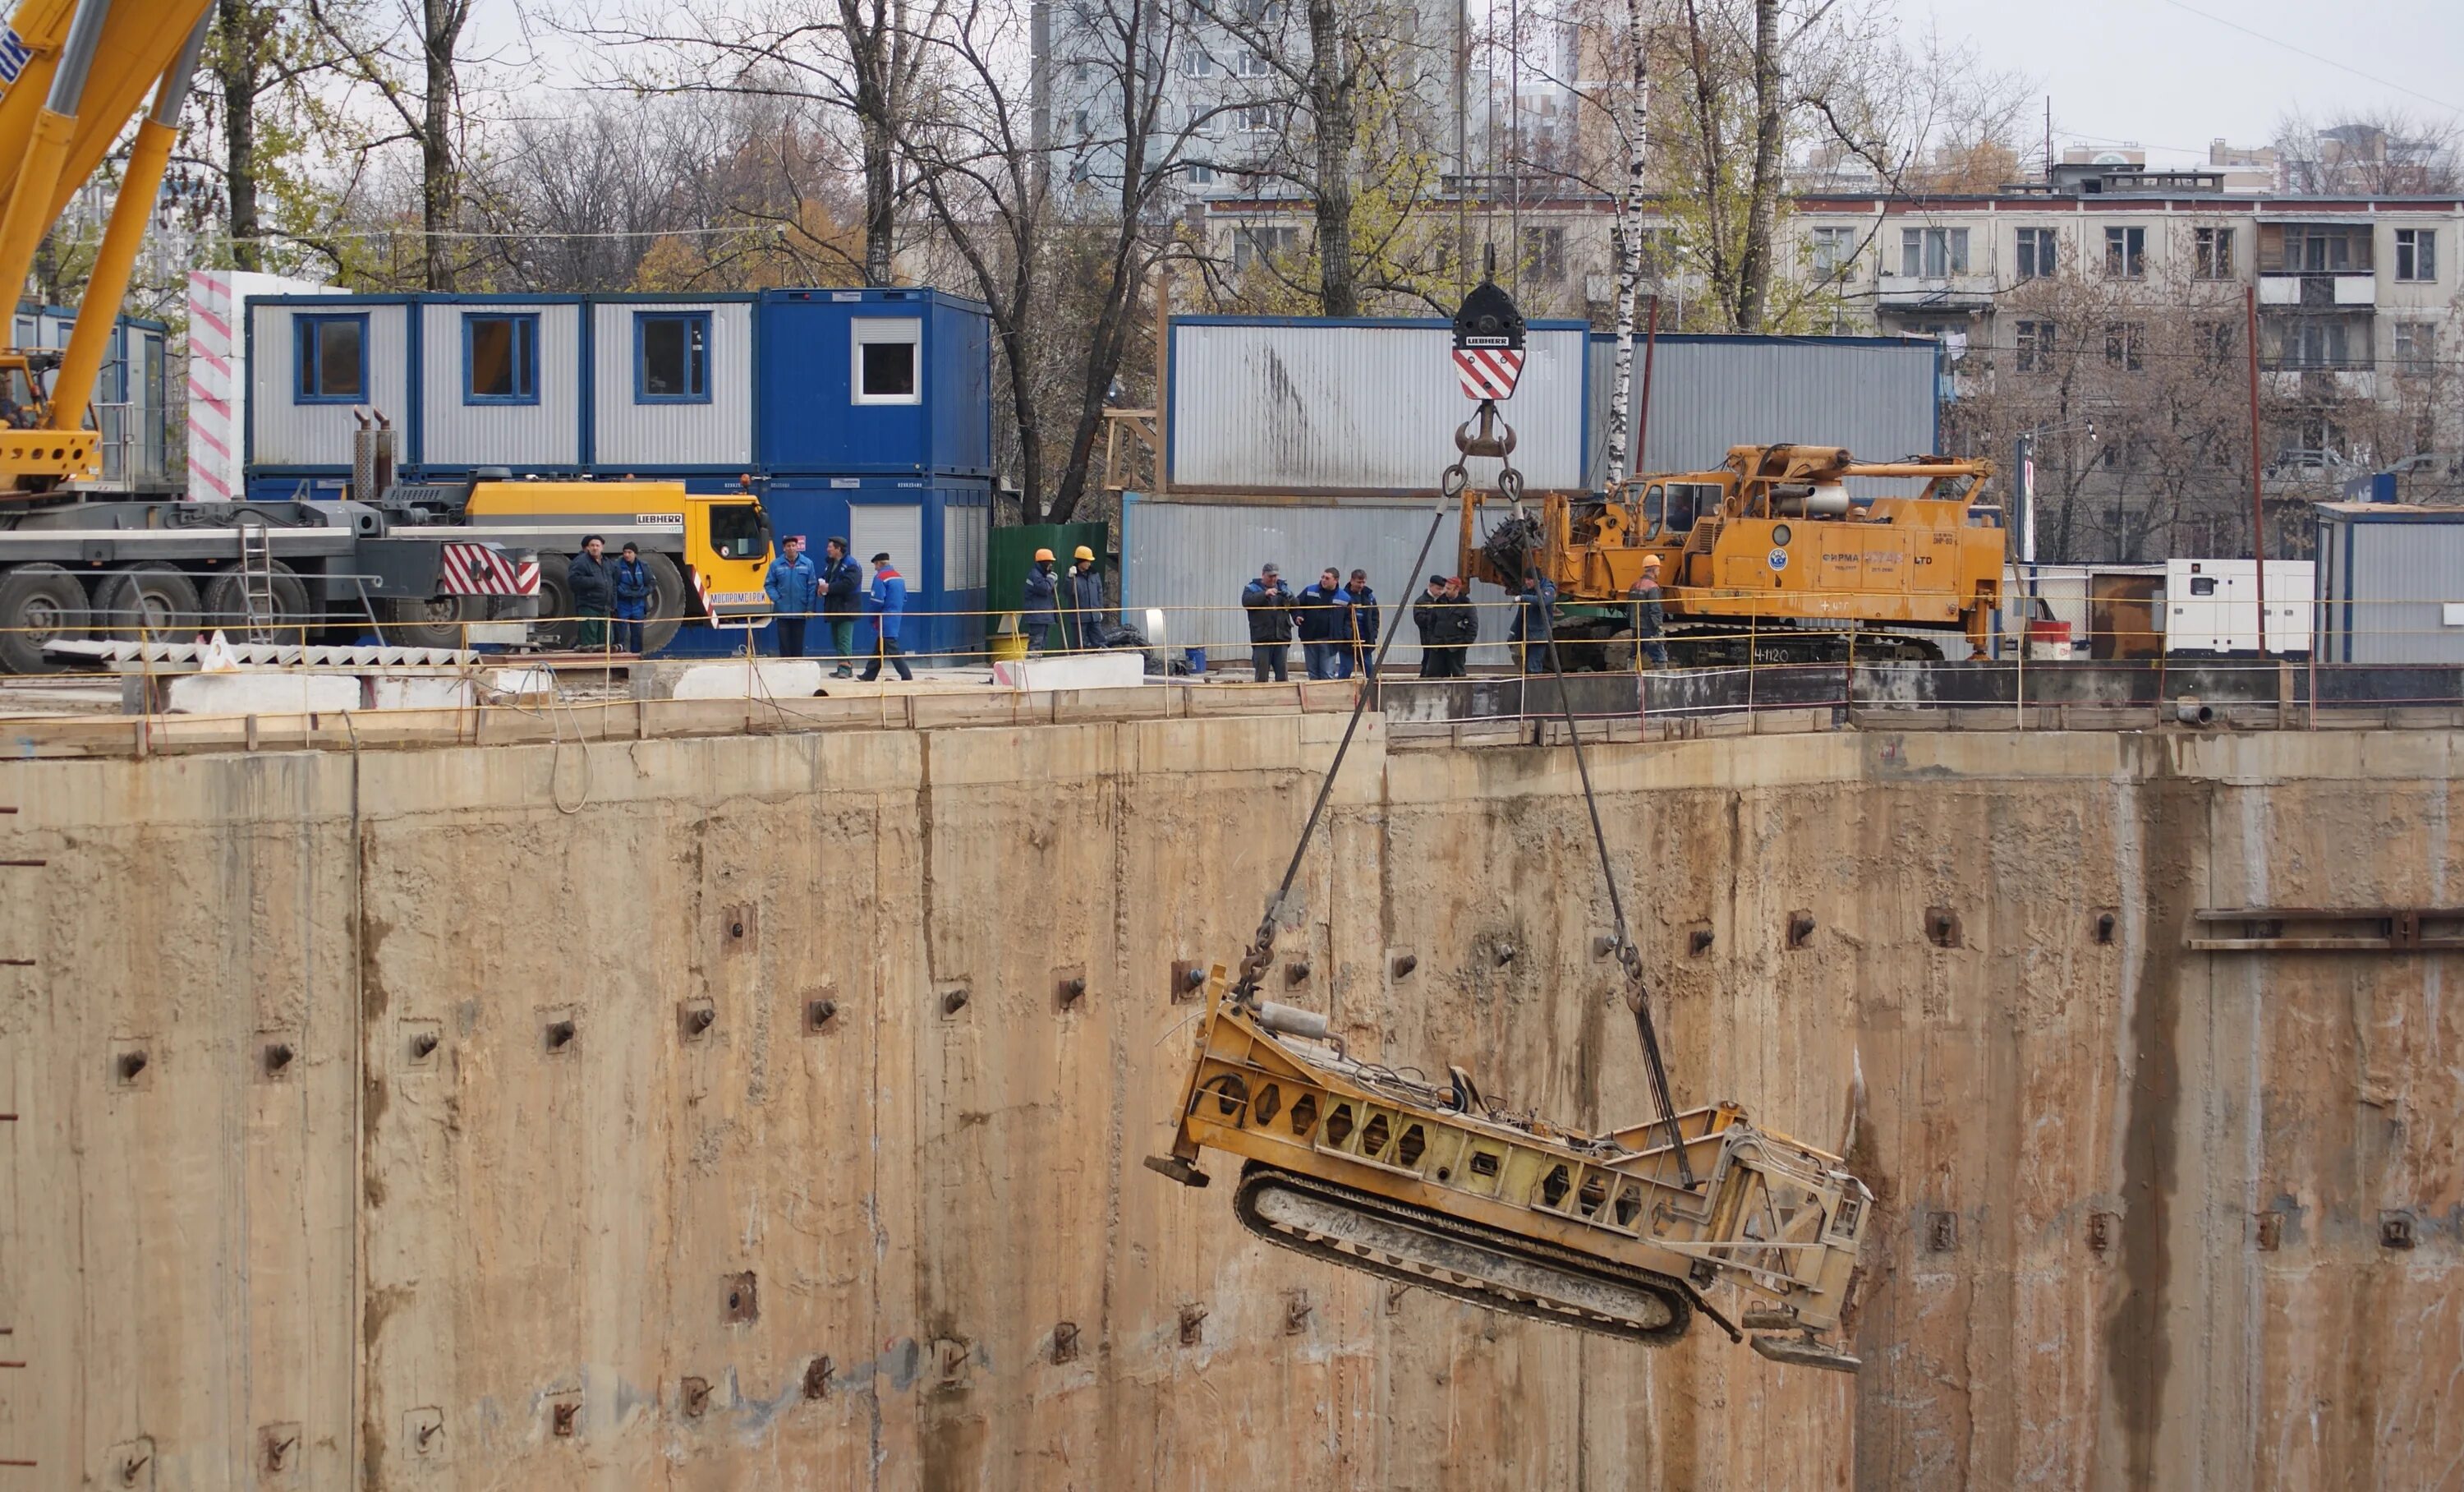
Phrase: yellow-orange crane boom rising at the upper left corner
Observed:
(75, 73)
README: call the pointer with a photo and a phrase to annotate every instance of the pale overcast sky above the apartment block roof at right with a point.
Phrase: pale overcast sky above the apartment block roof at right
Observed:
(2172, 80)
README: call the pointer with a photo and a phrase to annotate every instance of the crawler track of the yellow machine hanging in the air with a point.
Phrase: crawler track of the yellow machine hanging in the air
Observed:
(1465, 1261)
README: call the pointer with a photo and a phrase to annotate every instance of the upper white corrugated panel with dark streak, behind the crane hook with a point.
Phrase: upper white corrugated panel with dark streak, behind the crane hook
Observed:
(1302, 408)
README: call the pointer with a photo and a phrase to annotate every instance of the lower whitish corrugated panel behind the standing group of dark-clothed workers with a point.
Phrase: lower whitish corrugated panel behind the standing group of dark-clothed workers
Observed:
(1194, 561)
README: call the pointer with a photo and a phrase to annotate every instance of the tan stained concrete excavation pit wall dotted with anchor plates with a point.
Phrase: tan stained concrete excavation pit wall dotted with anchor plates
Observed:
(514, 1215)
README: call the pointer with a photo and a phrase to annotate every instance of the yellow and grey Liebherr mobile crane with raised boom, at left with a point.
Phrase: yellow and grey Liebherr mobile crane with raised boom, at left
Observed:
(410, 561)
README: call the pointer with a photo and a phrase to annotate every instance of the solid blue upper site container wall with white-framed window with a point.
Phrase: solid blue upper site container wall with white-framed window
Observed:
(876, 383)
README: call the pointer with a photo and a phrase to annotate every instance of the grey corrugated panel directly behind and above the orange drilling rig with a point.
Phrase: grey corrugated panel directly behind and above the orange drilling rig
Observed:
(1874, 396)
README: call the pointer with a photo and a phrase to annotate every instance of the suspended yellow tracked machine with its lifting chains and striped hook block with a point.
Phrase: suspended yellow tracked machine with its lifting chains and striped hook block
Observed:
(1435, 1187)
